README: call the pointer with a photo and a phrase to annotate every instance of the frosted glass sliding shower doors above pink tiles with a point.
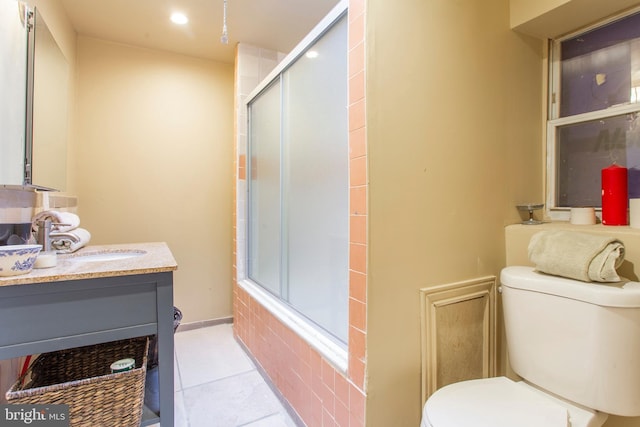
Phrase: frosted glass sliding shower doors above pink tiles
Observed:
(298, 213)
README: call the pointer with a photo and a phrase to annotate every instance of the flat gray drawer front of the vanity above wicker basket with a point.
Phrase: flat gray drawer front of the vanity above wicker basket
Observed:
(90, 310)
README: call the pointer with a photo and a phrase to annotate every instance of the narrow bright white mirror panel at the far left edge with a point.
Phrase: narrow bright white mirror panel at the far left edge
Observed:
(13, 87)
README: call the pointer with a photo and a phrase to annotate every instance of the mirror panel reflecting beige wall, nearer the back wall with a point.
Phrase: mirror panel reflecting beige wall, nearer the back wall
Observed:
(49, 86)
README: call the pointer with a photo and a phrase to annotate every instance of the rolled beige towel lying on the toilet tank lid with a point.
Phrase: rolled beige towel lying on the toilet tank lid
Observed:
(581, 256)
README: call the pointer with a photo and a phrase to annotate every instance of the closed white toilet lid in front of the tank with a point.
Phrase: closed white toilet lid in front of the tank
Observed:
(493, 402)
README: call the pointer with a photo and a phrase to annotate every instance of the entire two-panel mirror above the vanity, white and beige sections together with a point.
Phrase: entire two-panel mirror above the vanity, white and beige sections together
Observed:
(33, 115)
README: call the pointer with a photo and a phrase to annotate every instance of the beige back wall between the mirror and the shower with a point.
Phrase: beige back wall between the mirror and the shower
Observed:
(154, 152)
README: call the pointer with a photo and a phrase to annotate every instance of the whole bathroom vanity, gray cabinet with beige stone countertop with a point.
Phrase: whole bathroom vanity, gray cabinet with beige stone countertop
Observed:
(98, 294)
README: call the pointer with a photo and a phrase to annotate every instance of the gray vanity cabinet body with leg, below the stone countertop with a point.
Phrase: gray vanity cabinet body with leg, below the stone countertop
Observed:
(49, 316)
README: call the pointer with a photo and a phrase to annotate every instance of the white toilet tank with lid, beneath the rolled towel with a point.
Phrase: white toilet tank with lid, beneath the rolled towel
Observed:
(578, 340)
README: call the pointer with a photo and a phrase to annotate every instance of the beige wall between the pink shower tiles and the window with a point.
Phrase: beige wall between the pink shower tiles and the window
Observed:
(454, 138)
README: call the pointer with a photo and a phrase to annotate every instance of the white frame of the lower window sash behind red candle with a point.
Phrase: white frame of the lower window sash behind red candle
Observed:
(554, 212)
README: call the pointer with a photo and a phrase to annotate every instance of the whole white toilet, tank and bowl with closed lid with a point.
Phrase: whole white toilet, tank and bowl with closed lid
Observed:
(576, 347)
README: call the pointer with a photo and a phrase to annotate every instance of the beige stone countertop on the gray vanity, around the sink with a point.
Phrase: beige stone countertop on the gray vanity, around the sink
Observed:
(154, 258)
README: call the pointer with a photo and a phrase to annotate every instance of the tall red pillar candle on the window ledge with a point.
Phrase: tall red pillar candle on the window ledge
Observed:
(614, 195)
